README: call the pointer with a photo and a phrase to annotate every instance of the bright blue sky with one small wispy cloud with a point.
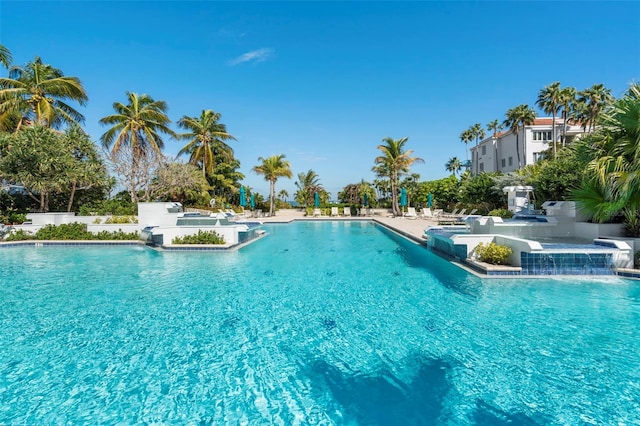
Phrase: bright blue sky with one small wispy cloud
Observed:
(324, 82)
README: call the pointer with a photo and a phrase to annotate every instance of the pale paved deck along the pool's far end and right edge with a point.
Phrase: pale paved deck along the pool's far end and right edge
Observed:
(412, 228)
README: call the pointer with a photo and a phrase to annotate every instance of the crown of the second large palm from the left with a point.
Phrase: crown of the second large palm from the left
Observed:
(137, 124)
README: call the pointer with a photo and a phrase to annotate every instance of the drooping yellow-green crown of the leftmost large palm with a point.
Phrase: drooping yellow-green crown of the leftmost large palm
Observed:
(38, 93)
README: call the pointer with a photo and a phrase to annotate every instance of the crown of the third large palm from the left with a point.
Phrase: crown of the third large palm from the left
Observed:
(206, 138)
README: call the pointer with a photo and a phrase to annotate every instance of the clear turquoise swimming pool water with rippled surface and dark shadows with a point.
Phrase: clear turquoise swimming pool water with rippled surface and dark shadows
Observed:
(318, 323)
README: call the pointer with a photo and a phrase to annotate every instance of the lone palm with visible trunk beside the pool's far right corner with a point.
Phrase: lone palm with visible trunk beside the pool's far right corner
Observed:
(393, 163)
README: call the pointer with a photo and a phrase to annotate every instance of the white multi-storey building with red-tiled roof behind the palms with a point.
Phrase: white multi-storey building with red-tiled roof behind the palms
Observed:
(499, 153)
